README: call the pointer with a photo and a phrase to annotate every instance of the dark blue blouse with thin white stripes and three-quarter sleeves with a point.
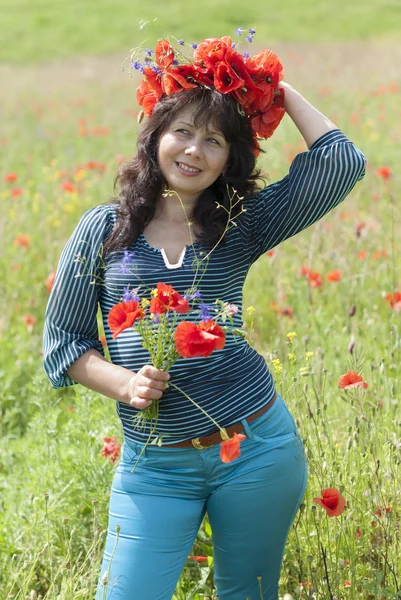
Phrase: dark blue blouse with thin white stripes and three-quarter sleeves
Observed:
(233, 382)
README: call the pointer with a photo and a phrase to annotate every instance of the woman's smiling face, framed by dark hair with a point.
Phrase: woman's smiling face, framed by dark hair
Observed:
(191, 158)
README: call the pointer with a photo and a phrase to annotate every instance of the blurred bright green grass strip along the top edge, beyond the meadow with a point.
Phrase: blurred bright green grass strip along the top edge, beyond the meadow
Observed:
(49, 29)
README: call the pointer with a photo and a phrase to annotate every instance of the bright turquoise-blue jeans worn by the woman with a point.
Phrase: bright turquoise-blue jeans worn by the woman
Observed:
(251, 504)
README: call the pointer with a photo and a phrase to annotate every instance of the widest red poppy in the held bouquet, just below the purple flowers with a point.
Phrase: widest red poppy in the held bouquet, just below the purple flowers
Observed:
(193, 340)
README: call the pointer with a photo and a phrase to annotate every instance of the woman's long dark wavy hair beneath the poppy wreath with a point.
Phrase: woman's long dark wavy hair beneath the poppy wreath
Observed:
(140, 180)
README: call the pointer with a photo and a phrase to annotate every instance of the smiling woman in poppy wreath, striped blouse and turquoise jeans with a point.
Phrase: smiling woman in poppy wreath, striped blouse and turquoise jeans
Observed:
(200, 144)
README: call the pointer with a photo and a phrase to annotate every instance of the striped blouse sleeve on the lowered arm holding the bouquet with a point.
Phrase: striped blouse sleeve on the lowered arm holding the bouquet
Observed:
(71, 314)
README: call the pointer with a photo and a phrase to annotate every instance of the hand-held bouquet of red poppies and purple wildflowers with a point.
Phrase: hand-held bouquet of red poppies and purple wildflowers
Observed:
(166, 339)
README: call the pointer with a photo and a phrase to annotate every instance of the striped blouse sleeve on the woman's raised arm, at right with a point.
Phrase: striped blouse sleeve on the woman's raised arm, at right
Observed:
(318, 180)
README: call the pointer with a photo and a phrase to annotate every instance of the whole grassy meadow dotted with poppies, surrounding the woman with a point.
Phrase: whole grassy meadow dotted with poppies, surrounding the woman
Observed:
(63, 133)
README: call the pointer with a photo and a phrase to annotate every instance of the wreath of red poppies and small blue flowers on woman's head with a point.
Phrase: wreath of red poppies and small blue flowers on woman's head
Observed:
(252, 81)
